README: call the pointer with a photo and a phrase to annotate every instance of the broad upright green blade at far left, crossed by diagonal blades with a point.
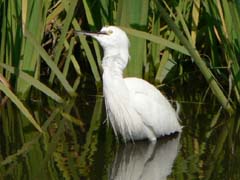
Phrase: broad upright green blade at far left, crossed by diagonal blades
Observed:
(33, 18)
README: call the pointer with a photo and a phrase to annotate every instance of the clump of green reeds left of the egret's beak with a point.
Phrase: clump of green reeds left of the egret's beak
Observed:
(24, 26)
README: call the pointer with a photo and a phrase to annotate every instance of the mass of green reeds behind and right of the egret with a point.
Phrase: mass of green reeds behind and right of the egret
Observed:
(198, 30)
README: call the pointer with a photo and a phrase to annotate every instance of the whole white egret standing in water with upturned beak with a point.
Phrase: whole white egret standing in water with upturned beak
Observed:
(135, 108)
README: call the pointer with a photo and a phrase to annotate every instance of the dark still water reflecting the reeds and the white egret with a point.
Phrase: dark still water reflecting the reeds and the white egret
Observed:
(80, 145)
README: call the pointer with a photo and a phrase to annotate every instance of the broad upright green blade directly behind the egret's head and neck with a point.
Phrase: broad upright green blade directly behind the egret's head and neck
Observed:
(134, 14)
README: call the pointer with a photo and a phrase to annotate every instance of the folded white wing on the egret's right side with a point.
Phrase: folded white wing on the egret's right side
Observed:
(155, 110)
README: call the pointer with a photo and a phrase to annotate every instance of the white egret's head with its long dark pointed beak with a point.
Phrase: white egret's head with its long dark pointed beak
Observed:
(110, 37)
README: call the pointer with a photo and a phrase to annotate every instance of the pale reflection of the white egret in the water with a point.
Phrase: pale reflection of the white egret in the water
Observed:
(144, 160)
